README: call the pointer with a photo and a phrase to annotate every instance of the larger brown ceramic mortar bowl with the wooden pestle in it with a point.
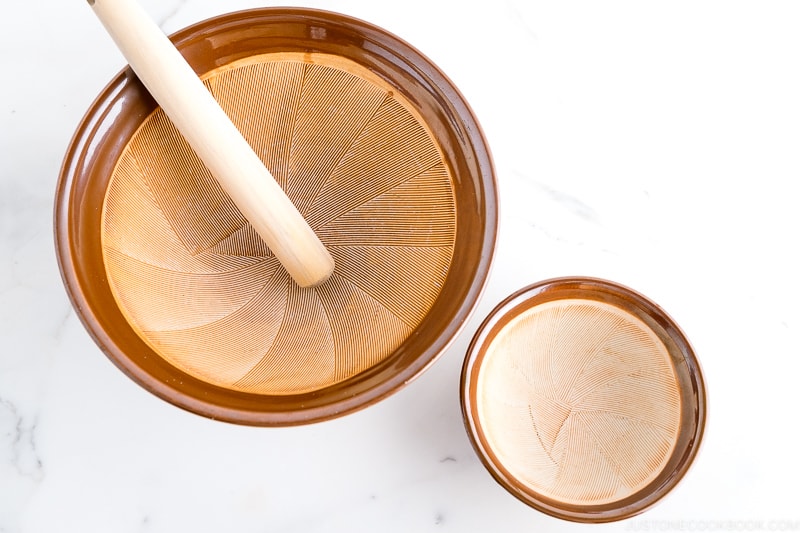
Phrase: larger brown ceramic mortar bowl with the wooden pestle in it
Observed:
(381, 154)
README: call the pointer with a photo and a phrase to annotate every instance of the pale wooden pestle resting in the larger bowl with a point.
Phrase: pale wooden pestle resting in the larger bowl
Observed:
(215, 139)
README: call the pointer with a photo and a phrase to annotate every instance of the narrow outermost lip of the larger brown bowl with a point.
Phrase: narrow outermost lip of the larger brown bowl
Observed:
(85, 133)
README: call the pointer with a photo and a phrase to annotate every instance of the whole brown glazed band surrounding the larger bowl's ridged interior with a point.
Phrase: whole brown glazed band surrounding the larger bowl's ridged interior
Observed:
(124, 104)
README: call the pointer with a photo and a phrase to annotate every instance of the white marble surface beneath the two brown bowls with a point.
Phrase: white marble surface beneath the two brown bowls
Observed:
(654, 144)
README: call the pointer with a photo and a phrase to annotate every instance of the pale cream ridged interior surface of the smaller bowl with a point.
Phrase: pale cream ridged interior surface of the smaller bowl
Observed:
(579, 401)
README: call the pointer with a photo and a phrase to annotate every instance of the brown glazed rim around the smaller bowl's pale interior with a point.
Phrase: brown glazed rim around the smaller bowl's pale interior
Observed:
(690, 377)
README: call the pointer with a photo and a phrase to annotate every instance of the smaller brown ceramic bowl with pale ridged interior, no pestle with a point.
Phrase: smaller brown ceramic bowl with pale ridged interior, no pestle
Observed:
(583, 399)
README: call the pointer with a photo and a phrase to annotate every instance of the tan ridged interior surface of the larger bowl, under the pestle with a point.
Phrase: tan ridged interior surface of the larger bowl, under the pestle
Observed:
(202, 289)
